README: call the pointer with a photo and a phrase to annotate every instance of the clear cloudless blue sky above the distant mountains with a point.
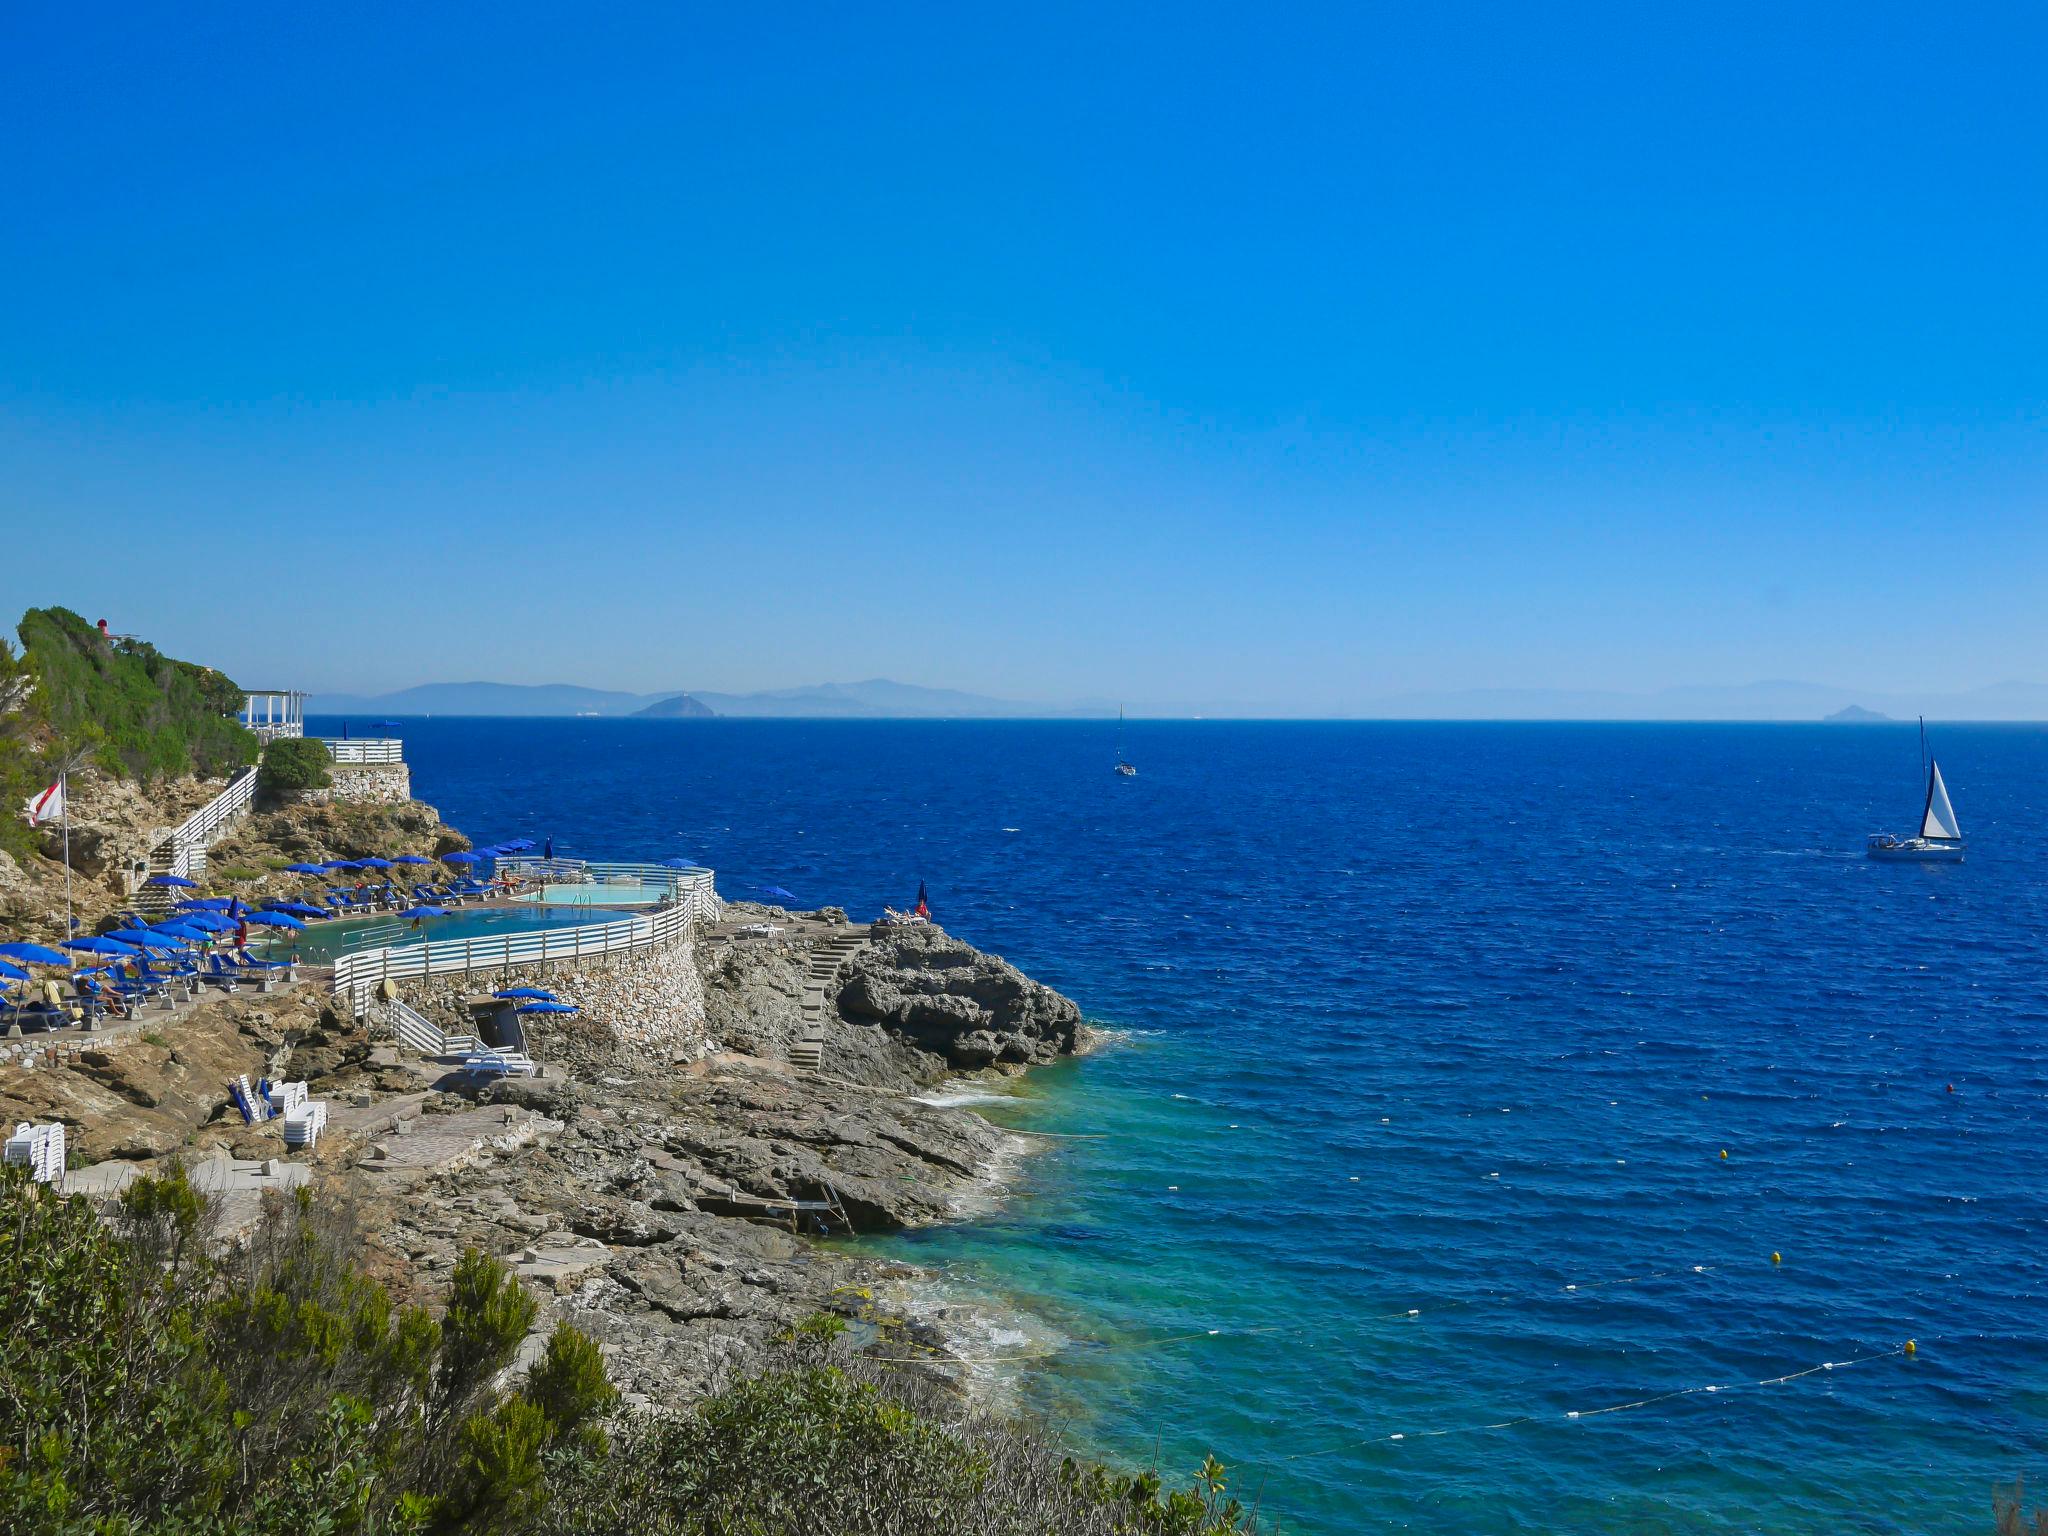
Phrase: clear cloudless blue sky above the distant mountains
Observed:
(1175, 353)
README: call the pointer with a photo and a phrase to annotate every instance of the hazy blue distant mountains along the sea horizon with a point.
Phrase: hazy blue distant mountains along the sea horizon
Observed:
(882, 699)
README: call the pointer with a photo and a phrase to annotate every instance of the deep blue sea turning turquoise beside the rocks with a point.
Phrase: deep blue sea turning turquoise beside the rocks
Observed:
(1433, 1039)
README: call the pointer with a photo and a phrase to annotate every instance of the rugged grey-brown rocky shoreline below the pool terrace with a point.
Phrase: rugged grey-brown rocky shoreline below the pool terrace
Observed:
(671, 1175)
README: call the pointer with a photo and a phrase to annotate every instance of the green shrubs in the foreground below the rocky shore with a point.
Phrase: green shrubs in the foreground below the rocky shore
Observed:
(155, 1388)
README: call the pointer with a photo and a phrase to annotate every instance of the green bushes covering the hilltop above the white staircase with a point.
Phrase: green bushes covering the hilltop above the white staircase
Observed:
(118, 703)
